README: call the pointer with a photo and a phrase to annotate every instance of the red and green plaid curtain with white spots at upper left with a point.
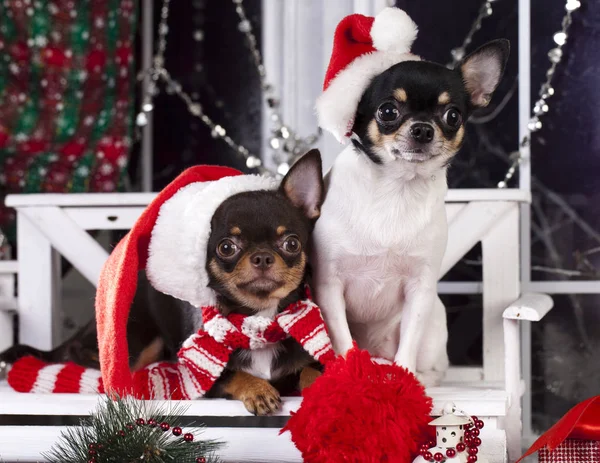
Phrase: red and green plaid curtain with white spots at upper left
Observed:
(67, 83)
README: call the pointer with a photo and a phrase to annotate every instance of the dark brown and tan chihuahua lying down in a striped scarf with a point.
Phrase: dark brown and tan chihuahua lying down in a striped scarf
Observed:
(257, 263)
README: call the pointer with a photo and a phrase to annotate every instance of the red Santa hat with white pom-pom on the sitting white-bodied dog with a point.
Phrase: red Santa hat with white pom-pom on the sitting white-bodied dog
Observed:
(363, 47)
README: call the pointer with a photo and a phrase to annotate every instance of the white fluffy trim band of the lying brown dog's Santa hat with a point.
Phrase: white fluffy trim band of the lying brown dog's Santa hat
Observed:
(177, 251)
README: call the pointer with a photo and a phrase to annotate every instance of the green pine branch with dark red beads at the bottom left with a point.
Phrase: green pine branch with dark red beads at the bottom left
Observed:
(115, 433)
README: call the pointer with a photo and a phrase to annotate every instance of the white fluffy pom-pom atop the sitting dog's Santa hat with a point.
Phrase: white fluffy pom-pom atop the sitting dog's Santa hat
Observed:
(393, 30)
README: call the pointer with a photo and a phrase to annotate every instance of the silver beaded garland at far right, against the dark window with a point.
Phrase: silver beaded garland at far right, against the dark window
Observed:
(541, 107)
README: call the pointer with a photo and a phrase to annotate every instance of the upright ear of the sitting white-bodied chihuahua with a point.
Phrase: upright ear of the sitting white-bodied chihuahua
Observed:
(483, 69)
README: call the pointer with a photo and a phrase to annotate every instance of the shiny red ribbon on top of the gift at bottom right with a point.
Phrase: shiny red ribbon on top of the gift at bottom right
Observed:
(581, 422)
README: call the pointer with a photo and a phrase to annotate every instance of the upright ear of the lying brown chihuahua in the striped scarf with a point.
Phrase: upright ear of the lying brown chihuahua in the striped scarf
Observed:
(303, 184)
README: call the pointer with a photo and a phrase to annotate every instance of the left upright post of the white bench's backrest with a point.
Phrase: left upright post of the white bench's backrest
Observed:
(40, 322)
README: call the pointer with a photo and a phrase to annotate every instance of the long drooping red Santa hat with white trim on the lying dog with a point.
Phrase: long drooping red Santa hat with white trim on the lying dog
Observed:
(169, 241)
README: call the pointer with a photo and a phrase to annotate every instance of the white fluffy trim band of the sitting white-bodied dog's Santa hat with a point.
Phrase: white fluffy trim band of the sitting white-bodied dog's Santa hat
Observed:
(336, 106)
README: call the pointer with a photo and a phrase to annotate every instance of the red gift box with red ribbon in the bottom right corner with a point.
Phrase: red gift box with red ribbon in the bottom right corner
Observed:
(574, 439)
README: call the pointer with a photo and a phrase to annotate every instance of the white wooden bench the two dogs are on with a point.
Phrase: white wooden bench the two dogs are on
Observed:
(51, 225)
